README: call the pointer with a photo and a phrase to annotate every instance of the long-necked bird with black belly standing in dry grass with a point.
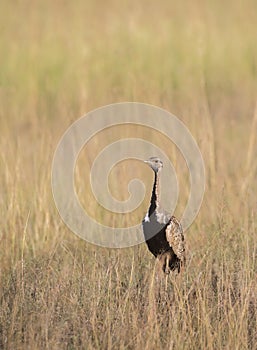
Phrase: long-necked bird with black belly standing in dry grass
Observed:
(163, 232)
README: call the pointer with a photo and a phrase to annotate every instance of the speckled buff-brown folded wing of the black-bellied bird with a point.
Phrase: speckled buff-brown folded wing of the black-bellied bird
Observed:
(175, 237)
